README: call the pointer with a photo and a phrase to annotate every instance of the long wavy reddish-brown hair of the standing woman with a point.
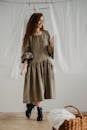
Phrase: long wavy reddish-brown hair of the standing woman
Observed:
(31, 27)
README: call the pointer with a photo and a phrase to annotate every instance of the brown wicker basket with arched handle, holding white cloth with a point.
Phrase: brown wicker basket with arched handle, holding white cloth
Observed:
(78, 123)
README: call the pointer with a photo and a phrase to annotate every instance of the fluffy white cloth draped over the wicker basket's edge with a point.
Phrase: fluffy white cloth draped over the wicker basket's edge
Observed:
(56, 117)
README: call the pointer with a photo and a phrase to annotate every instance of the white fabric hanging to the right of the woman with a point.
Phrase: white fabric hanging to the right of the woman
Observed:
(69, 23)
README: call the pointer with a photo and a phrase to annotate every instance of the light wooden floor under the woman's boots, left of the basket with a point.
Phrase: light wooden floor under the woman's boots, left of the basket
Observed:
(18, 121)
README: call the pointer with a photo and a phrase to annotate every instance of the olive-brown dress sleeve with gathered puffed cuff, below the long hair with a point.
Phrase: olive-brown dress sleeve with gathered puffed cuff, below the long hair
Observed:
(26, 54)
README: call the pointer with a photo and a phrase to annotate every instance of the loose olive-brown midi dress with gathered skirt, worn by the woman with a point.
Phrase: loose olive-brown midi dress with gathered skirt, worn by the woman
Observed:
(39, 79)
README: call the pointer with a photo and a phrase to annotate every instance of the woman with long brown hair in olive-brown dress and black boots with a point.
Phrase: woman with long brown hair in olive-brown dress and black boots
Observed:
(37, 54)
